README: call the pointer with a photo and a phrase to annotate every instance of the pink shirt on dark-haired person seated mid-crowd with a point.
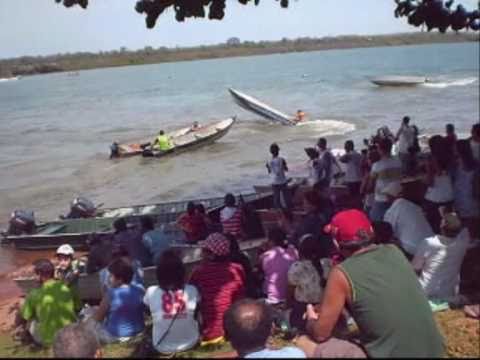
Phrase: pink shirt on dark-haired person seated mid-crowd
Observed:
(275, 265)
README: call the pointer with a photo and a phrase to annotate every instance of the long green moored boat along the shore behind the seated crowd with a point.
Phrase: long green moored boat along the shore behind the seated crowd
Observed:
(76, 232)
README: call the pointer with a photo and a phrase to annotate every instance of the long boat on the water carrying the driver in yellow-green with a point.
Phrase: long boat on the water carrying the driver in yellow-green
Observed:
(182, 140)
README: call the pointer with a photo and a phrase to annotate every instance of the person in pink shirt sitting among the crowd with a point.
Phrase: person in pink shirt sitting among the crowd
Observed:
(275, 263)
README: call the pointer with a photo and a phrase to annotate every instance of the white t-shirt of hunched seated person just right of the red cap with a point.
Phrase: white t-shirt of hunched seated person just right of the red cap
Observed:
(409, 224)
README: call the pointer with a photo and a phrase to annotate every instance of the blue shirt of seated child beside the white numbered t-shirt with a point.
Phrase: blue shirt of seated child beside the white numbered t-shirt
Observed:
(125, 315)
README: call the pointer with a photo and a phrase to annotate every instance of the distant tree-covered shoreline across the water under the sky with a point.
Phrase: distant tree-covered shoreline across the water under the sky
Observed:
(28, 65)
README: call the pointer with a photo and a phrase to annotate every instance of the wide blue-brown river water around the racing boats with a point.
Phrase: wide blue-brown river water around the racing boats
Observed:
(55, 130)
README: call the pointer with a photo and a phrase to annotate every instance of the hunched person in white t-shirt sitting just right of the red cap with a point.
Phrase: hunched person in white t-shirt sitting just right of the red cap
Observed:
(409, 224)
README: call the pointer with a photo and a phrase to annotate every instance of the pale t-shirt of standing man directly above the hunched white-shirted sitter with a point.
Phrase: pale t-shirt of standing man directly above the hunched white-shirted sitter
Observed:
(387, 171)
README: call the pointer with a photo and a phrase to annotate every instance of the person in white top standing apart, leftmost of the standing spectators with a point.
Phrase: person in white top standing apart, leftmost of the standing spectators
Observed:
(277, 167)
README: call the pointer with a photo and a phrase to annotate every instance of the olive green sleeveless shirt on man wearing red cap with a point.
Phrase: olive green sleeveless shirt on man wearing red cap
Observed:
(389, 305)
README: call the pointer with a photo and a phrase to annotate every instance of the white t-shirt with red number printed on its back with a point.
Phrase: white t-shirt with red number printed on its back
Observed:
(184, 333)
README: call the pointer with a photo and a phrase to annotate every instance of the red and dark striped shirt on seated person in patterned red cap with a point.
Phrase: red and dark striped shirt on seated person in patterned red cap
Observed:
(220, 285)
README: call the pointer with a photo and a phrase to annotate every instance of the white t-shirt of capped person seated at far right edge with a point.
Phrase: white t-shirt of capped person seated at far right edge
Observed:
(440, 259)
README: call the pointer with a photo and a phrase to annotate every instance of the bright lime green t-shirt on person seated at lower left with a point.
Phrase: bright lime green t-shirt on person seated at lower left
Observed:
(52, 306)
